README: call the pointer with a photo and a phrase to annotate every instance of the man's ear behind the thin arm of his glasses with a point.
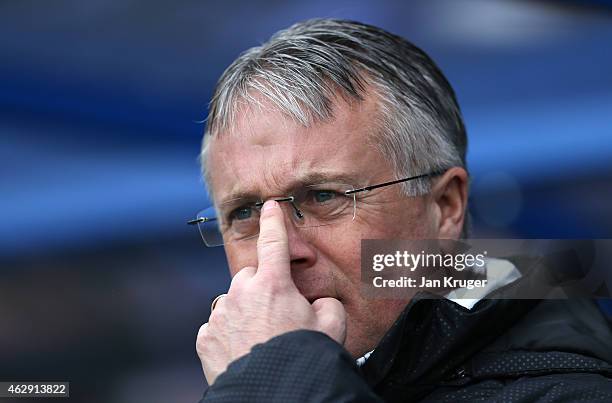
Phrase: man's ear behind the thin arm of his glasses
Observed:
(449, 197)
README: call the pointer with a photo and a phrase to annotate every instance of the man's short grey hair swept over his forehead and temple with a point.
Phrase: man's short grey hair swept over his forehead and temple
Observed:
(303, 69)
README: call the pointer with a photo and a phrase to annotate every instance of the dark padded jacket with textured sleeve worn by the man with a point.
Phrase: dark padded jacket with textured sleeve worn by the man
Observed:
(502, 350)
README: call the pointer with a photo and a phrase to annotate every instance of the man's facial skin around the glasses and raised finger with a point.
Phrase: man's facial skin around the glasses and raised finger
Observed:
(267, 154)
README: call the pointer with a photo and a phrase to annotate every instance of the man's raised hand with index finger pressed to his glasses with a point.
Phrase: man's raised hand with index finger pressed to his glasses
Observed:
(263, 302)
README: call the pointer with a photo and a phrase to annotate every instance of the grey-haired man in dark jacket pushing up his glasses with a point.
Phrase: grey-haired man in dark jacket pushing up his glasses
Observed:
(348, 132)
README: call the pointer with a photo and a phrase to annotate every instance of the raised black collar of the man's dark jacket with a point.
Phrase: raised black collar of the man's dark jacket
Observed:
(434, 335)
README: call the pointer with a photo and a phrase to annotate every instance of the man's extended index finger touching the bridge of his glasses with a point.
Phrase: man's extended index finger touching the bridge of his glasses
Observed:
(273, 244)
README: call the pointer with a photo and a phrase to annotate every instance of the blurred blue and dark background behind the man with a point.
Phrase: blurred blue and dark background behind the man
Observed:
(101, 103)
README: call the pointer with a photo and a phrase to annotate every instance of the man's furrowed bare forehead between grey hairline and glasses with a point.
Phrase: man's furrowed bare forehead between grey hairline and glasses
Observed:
(267, 153)
